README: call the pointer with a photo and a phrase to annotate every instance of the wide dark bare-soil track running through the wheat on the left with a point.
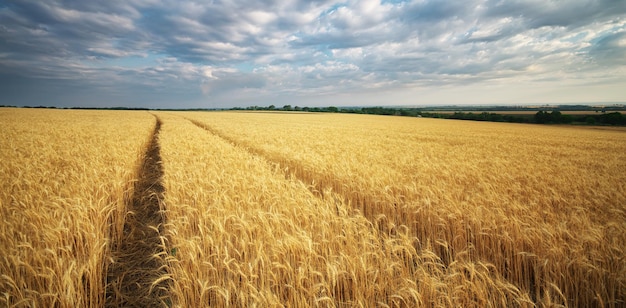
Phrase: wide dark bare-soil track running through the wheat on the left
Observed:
(138, 275)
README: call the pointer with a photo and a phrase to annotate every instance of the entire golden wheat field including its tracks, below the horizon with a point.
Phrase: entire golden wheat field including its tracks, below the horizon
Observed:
(197, 209)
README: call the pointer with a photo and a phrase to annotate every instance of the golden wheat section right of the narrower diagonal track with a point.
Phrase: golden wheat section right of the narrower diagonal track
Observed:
(541, 206)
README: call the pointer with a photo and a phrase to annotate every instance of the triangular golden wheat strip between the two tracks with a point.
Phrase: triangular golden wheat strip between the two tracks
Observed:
(244, 234)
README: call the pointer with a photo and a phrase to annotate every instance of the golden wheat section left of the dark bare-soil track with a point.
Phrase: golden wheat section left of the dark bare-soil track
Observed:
(64, 178)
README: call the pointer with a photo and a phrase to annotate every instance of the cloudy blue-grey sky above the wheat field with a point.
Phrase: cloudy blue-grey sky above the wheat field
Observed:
(222, 54)
